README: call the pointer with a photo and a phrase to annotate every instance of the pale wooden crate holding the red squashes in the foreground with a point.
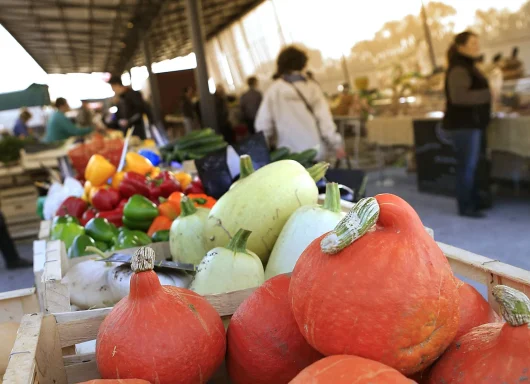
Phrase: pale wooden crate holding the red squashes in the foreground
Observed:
(37, 356)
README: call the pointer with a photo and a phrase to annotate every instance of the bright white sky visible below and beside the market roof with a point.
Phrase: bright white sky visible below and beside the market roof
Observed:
(332, 26)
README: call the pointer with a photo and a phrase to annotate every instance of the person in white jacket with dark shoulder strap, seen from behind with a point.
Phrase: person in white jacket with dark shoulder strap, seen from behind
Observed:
(295, 111)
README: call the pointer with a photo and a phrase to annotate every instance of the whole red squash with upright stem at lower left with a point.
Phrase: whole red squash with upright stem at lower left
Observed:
(162, 334)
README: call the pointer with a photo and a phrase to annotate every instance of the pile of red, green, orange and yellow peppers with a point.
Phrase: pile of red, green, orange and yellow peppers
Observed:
(124, 209)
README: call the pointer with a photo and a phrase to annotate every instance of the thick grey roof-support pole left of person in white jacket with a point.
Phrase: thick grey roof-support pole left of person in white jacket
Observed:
(207, 102)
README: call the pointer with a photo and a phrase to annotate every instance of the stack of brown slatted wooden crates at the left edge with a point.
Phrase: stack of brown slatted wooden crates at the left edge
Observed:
(19, 206)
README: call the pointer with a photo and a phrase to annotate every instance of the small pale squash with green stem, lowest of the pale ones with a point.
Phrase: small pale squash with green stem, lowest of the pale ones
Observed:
(230, 268)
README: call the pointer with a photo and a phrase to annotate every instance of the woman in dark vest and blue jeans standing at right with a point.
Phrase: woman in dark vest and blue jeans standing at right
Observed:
(467, 115)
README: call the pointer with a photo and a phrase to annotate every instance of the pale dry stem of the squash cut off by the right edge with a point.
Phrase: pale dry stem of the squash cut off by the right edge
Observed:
(514, 305)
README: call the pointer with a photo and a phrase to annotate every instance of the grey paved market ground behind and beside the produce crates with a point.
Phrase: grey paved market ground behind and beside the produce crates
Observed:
(503, 235)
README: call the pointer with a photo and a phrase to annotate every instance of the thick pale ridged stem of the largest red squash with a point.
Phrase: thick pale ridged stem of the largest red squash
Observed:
(355, 224)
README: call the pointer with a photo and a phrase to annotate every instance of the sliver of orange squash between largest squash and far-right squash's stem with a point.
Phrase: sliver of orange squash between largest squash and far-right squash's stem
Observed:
(474, 310)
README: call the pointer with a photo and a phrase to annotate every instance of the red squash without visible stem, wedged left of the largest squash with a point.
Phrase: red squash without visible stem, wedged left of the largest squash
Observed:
(265, 345)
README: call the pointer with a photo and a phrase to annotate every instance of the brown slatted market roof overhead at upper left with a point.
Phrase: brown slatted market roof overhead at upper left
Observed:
(66, 36)
